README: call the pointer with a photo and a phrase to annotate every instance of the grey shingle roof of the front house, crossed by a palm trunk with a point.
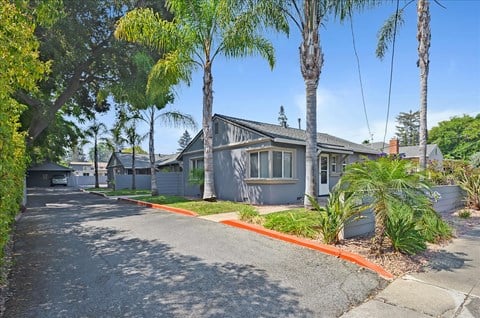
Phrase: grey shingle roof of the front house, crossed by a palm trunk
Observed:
(324, 141)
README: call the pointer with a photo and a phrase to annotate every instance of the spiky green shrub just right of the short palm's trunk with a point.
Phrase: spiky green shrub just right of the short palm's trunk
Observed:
(402, 232)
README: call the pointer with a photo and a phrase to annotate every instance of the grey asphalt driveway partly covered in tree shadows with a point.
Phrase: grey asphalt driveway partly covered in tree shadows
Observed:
(81, 255)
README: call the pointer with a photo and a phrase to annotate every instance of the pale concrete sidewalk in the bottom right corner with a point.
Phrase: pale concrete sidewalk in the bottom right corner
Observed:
(450, 288)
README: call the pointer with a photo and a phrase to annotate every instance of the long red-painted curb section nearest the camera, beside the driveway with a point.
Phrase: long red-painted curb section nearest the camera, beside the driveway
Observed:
(347, 256)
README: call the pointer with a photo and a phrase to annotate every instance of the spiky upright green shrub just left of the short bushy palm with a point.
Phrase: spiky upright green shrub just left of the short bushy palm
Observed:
(339, 211)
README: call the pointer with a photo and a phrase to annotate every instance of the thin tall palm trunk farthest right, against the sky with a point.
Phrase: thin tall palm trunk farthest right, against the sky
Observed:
(423, 37)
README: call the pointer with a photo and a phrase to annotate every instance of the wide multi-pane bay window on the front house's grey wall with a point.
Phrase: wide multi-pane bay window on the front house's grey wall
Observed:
(271, 164)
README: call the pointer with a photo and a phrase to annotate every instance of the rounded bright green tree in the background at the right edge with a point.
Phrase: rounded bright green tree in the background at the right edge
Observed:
(457, 137)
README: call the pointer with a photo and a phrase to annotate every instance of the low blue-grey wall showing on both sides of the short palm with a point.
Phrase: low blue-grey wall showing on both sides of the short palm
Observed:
(451, 198)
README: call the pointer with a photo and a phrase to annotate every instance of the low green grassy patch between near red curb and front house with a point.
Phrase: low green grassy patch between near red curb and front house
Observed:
(301, 223)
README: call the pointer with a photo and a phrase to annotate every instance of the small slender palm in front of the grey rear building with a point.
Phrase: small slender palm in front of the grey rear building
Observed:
(168, 118)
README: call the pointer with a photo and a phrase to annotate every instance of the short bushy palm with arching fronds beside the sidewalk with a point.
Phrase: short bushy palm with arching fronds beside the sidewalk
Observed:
(382, 183)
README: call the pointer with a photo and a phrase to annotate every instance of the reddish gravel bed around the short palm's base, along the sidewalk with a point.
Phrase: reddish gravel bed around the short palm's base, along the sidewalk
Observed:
(399, 264)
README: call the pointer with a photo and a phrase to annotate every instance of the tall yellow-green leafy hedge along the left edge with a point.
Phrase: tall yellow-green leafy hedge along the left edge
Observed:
(20, 68)
